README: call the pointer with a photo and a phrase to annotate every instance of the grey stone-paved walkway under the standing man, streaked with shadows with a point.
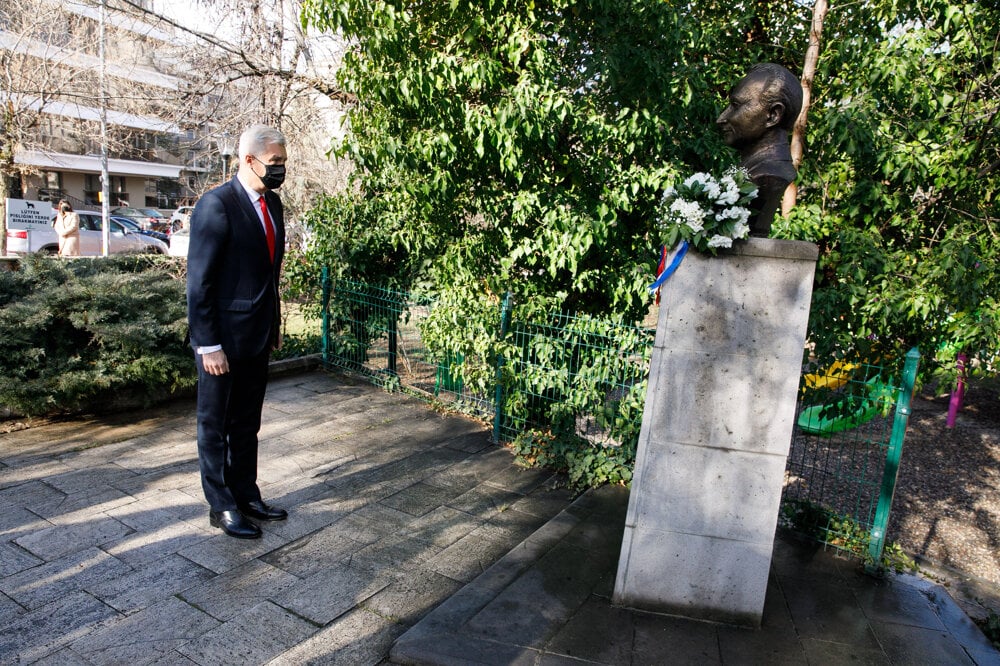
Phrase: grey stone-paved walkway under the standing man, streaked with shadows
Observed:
(106, 555)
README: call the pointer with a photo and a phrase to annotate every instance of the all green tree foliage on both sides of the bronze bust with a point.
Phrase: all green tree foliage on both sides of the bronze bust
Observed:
(523, 146)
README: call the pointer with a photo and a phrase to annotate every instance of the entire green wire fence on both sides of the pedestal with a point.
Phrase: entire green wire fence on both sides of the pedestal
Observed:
(585, 378)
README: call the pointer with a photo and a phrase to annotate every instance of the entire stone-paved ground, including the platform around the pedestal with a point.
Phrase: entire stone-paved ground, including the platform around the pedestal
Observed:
(409, 534)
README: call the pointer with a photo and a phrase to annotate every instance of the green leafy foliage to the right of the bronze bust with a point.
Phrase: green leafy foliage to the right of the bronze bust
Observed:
(899, 183)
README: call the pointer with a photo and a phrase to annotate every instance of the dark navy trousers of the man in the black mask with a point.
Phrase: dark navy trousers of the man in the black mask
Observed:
(229, 408)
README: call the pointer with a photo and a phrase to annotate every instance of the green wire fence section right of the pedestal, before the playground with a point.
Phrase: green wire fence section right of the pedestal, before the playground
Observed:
(840, 477)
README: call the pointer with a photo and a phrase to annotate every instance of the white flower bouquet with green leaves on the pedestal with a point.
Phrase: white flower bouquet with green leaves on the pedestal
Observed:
(706, 212)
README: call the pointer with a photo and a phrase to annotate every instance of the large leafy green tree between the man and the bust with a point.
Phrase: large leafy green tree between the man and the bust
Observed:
(522, 146)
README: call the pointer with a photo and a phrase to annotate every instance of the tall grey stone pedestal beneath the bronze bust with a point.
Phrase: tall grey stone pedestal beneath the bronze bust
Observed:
(716, 429)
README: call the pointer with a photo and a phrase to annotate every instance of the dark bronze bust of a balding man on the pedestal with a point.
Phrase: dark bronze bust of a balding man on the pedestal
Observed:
(762, 110)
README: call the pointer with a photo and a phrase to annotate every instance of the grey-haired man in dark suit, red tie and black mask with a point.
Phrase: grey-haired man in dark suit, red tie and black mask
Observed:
(234, 315)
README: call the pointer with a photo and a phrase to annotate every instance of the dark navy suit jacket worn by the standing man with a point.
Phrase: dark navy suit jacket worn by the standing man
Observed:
(232, 285)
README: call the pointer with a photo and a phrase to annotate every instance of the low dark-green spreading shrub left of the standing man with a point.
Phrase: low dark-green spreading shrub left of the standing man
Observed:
(94, 334)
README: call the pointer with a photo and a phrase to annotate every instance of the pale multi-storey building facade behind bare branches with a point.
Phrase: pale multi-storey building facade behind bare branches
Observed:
(159, 153)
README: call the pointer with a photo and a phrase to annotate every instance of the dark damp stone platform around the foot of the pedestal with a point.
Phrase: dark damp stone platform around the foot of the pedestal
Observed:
(548, 602)
